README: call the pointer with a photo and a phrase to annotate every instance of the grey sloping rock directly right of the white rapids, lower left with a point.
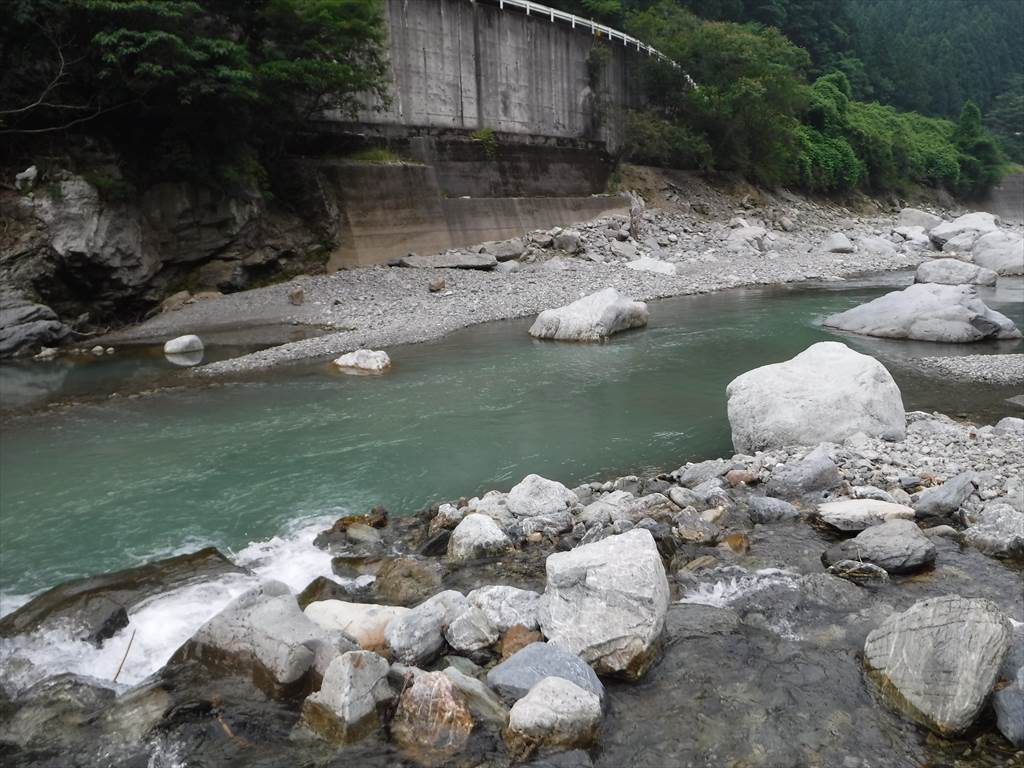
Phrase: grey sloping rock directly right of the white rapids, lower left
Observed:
(264, 634)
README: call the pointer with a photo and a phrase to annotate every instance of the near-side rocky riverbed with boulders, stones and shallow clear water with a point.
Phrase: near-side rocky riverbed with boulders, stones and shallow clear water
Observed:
(854, 603)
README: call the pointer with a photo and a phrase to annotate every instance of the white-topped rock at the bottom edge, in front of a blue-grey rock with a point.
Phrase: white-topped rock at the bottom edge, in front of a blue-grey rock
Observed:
(554, 713)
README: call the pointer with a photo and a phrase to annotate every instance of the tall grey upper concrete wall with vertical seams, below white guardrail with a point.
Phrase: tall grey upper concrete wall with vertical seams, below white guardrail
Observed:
(459, 64)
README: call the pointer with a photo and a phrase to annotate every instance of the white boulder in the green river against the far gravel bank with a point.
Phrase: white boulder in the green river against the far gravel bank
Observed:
(591, 319)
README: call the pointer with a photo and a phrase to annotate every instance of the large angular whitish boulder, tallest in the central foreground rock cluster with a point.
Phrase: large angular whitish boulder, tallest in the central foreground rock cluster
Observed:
(608, 602)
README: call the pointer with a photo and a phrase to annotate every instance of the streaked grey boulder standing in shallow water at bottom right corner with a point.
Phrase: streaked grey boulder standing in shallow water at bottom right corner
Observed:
(938, 661)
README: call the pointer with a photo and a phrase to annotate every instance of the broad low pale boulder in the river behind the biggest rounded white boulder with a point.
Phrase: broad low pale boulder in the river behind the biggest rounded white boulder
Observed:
(927, 312)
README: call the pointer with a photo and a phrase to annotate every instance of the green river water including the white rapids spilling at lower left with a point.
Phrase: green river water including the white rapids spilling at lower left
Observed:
(255, 468)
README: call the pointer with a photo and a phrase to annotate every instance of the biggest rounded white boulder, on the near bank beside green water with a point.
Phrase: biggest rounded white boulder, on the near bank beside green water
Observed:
(825, 395)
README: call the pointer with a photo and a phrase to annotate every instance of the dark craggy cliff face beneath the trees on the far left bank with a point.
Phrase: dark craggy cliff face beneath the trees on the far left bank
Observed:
(98, 263)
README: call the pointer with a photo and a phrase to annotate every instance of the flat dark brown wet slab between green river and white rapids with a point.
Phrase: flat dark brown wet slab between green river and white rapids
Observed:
(96, 609)
